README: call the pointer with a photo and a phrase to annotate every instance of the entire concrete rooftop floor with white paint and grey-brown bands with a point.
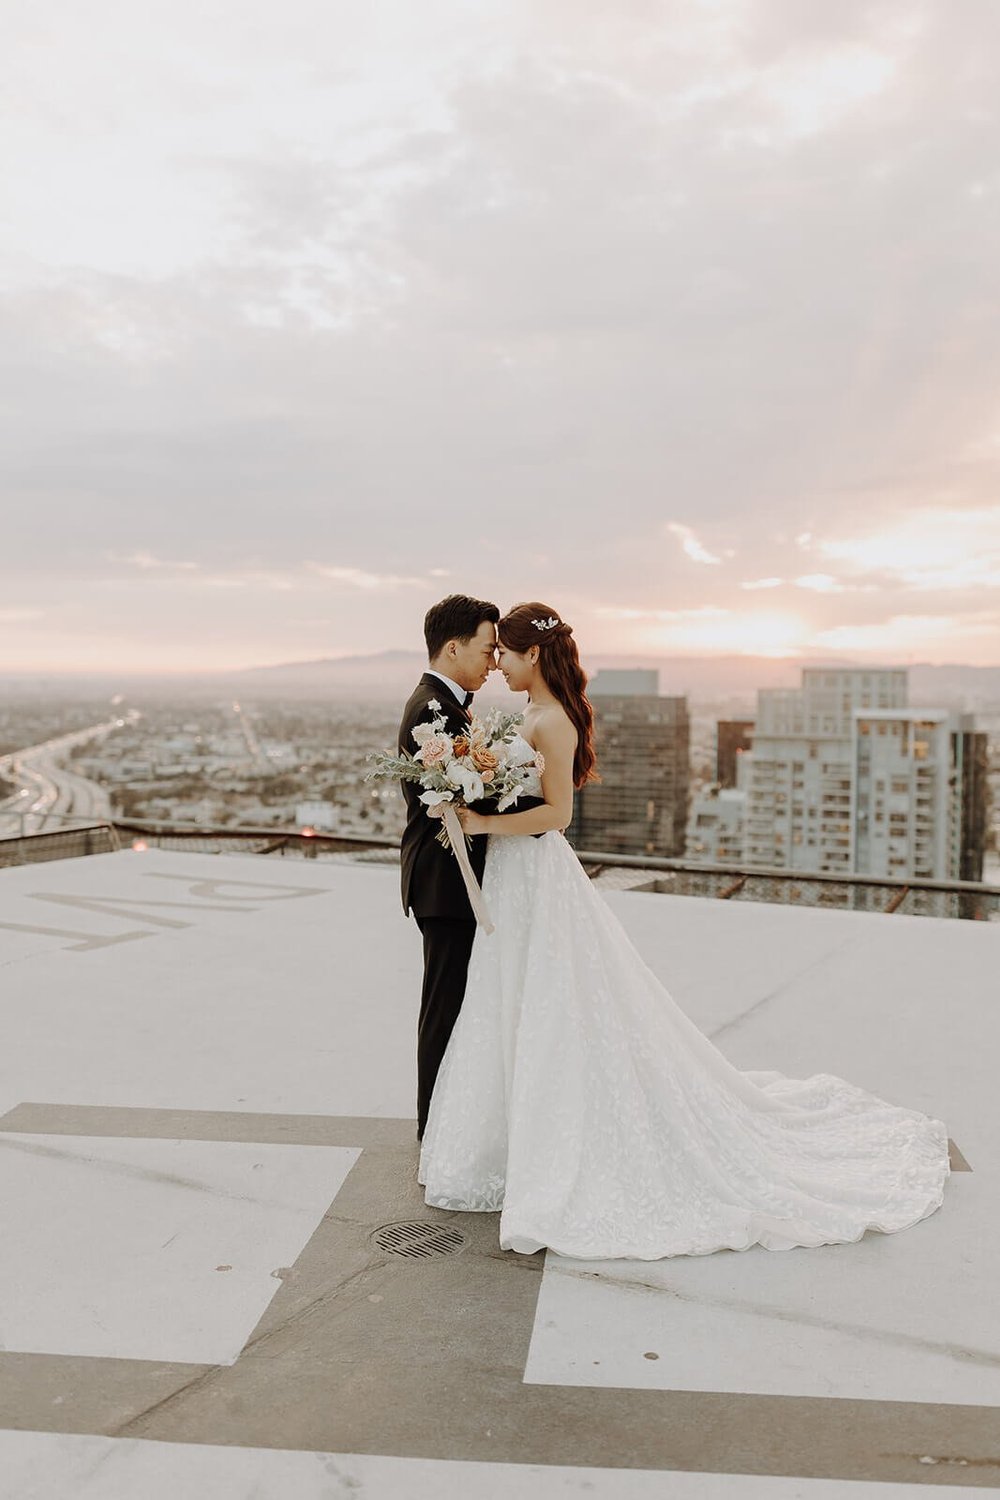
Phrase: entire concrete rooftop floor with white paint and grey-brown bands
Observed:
(208, 1112)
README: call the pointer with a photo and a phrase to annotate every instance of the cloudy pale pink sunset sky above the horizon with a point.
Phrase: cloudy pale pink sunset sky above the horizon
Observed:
(678, 317)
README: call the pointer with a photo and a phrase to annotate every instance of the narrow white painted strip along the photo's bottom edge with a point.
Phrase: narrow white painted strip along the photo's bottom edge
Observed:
(41, 1466)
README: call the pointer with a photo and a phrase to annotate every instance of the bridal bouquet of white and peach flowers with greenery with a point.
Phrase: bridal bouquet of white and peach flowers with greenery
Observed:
(481, 764)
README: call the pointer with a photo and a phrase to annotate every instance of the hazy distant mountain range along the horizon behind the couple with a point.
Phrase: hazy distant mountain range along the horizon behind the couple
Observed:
(389, 676)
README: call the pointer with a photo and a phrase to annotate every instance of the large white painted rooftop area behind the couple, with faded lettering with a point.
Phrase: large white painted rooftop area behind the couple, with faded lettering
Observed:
(308, 1004)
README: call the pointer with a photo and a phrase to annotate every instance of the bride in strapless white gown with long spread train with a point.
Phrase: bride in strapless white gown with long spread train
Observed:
(578, 1099)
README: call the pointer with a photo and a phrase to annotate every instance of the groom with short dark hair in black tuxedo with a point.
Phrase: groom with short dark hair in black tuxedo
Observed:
(461, 637)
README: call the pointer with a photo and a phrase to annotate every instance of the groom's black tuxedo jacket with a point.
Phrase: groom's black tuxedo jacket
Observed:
(433, 883)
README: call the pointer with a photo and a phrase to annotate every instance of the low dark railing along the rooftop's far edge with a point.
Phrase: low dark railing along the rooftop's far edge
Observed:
(968, 901)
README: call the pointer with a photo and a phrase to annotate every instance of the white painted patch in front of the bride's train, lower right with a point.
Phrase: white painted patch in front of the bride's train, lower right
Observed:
(893, 1318)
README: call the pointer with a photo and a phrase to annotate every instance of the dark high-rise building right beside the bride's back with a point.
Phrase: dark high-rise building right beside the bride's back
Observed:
(642, 745)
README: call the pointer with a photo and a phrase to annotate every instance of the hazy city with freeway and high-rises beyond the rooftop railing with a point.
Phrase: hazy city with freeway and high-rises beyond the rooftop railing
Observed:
(840, 776)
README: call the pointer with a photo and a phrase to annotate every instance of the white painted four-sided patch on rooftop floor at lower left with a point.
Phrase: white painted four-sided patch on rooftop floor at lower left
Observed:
(152, 1249)
